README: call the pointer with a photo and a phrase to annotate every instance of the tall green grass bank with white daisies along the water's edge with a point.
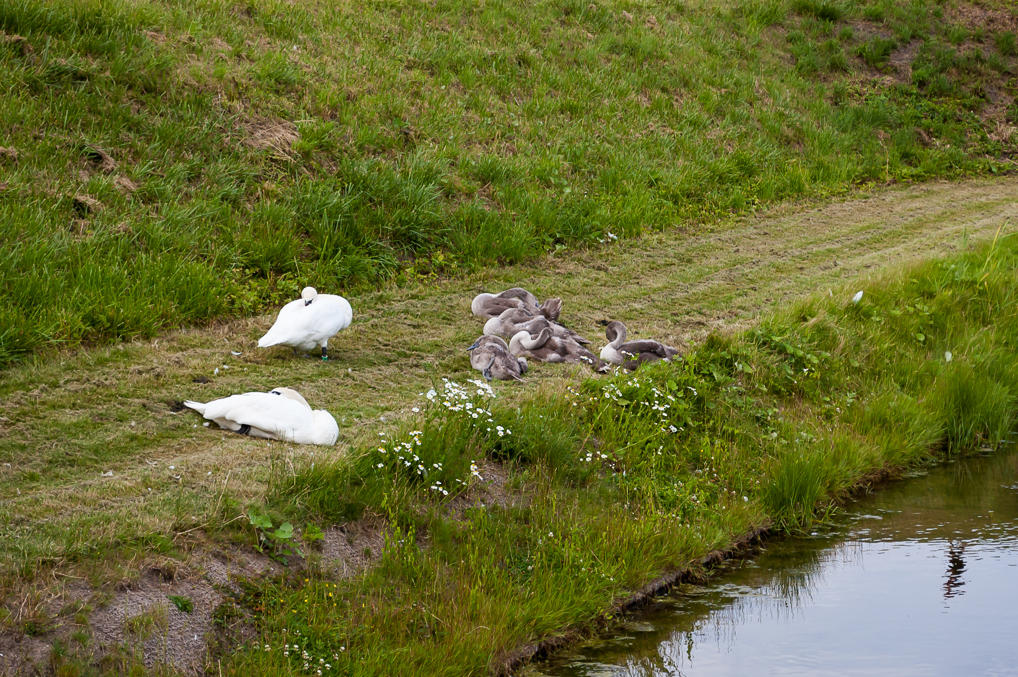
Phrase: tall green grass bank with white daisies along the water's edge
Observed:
(614, 483)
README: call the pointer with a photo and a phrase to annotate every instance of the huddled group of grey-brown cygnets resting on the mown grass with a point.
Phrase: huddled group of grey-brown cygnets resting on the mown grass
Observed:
(535, 333)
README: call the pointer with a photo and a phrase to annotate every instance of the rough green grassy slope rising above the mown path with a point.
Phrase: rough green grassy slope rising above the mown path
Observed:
(165, 163)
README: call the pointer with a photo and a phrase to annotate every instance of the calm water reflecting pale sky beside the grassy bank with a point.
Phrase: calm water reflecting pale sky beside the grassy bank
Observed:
(921, 579)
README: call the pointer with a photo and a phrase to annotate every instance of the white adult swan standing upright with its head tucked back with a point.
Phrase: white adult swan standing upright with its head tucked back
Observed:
(309, 322)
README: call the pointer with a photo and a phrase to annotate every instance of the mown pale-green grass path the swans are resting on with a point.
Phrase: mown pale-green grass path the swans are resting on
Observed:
(68, 422)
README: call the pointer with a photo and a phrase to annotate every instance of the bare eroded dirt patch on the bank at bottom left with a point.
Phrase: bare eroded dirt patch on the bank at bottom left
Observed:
(165, 618)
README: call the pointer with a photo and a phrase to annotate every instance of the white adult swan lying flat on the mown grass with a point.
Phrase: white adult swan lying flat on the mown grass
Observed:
(279, 415)
